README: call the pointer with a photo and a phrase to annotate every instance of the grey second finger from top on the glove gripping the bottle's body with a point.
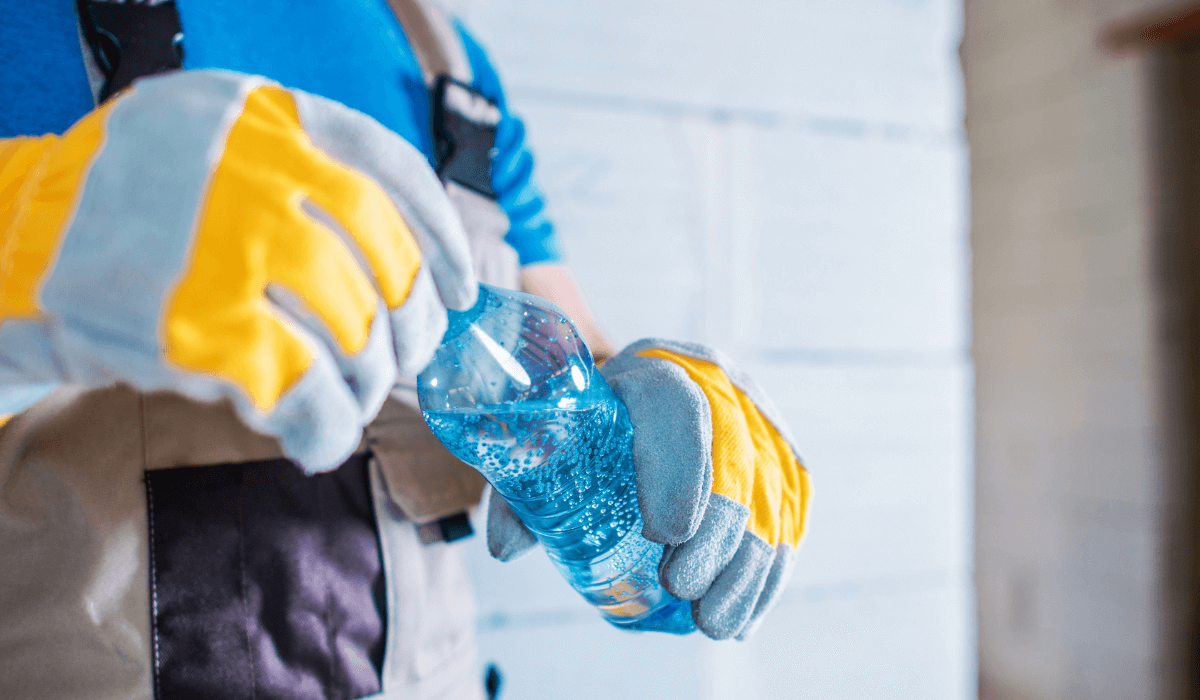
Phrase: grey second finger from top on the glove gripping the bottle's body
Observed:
(689, 570)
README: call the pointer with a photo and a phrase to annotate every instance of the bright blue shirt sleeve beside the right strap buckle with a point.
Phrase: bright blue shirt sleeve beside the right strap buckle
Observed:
(530, 231)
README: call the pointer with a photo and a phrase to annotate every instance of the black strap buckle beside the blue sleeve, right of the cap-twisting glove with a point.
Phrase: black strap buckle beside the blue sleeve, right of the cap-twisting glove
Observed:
(464, 135)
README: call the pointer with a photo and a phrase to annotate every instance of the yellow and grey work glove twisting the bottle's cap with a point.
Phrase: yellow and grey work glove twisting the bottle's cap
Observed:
(223, 237)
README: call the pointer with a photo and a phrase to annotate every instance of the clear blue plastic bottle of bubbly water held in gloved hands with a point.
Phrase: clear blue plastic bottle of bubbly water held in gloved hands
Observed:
(514, 392)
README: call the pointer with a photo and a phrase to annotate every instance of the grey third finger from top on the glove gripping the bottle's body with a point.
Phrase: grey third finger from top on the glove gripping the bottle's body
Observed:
(730, 603)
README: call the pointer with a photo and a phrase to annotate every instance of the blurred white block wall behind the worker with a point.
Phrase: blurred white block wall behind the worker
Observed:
(784, 181)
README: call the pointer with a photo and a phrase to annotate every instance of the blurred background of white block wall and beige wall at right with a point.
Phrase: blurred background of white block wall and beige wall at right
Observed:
(989, 369)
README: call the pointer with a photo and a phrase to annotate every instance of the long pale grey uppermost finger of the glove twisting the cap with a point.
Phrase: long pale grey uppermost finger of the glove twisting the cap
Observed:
(363, 143)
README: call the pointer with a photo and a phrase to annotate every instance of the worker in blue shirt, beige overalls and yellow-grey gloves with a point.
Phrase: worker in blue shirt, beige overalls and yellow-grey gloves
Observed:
(230, 236)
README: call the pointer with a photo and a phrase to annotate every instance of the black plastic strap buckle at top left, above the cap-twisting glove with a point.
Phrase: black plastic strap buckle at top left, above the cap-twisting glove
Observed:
(131, 40)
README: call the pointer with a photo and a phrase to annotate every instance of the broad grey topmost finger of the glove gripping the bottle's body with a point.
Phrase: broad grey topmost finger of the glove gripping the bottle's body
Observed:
(673, 445)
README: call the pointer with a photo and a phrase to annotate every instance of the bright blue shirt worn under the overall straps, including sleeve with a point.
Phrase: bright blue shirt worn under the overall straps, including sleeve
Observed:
(350, 51)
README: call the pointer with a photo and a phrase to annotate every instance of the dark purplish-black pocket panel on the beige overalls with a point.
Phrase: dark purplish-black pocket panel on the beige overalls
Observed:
(266, 583)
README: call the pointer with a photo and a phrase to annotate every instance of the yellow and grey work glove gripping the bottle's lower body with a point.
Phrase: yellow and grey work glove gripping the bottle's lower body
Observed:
(718, 483)
